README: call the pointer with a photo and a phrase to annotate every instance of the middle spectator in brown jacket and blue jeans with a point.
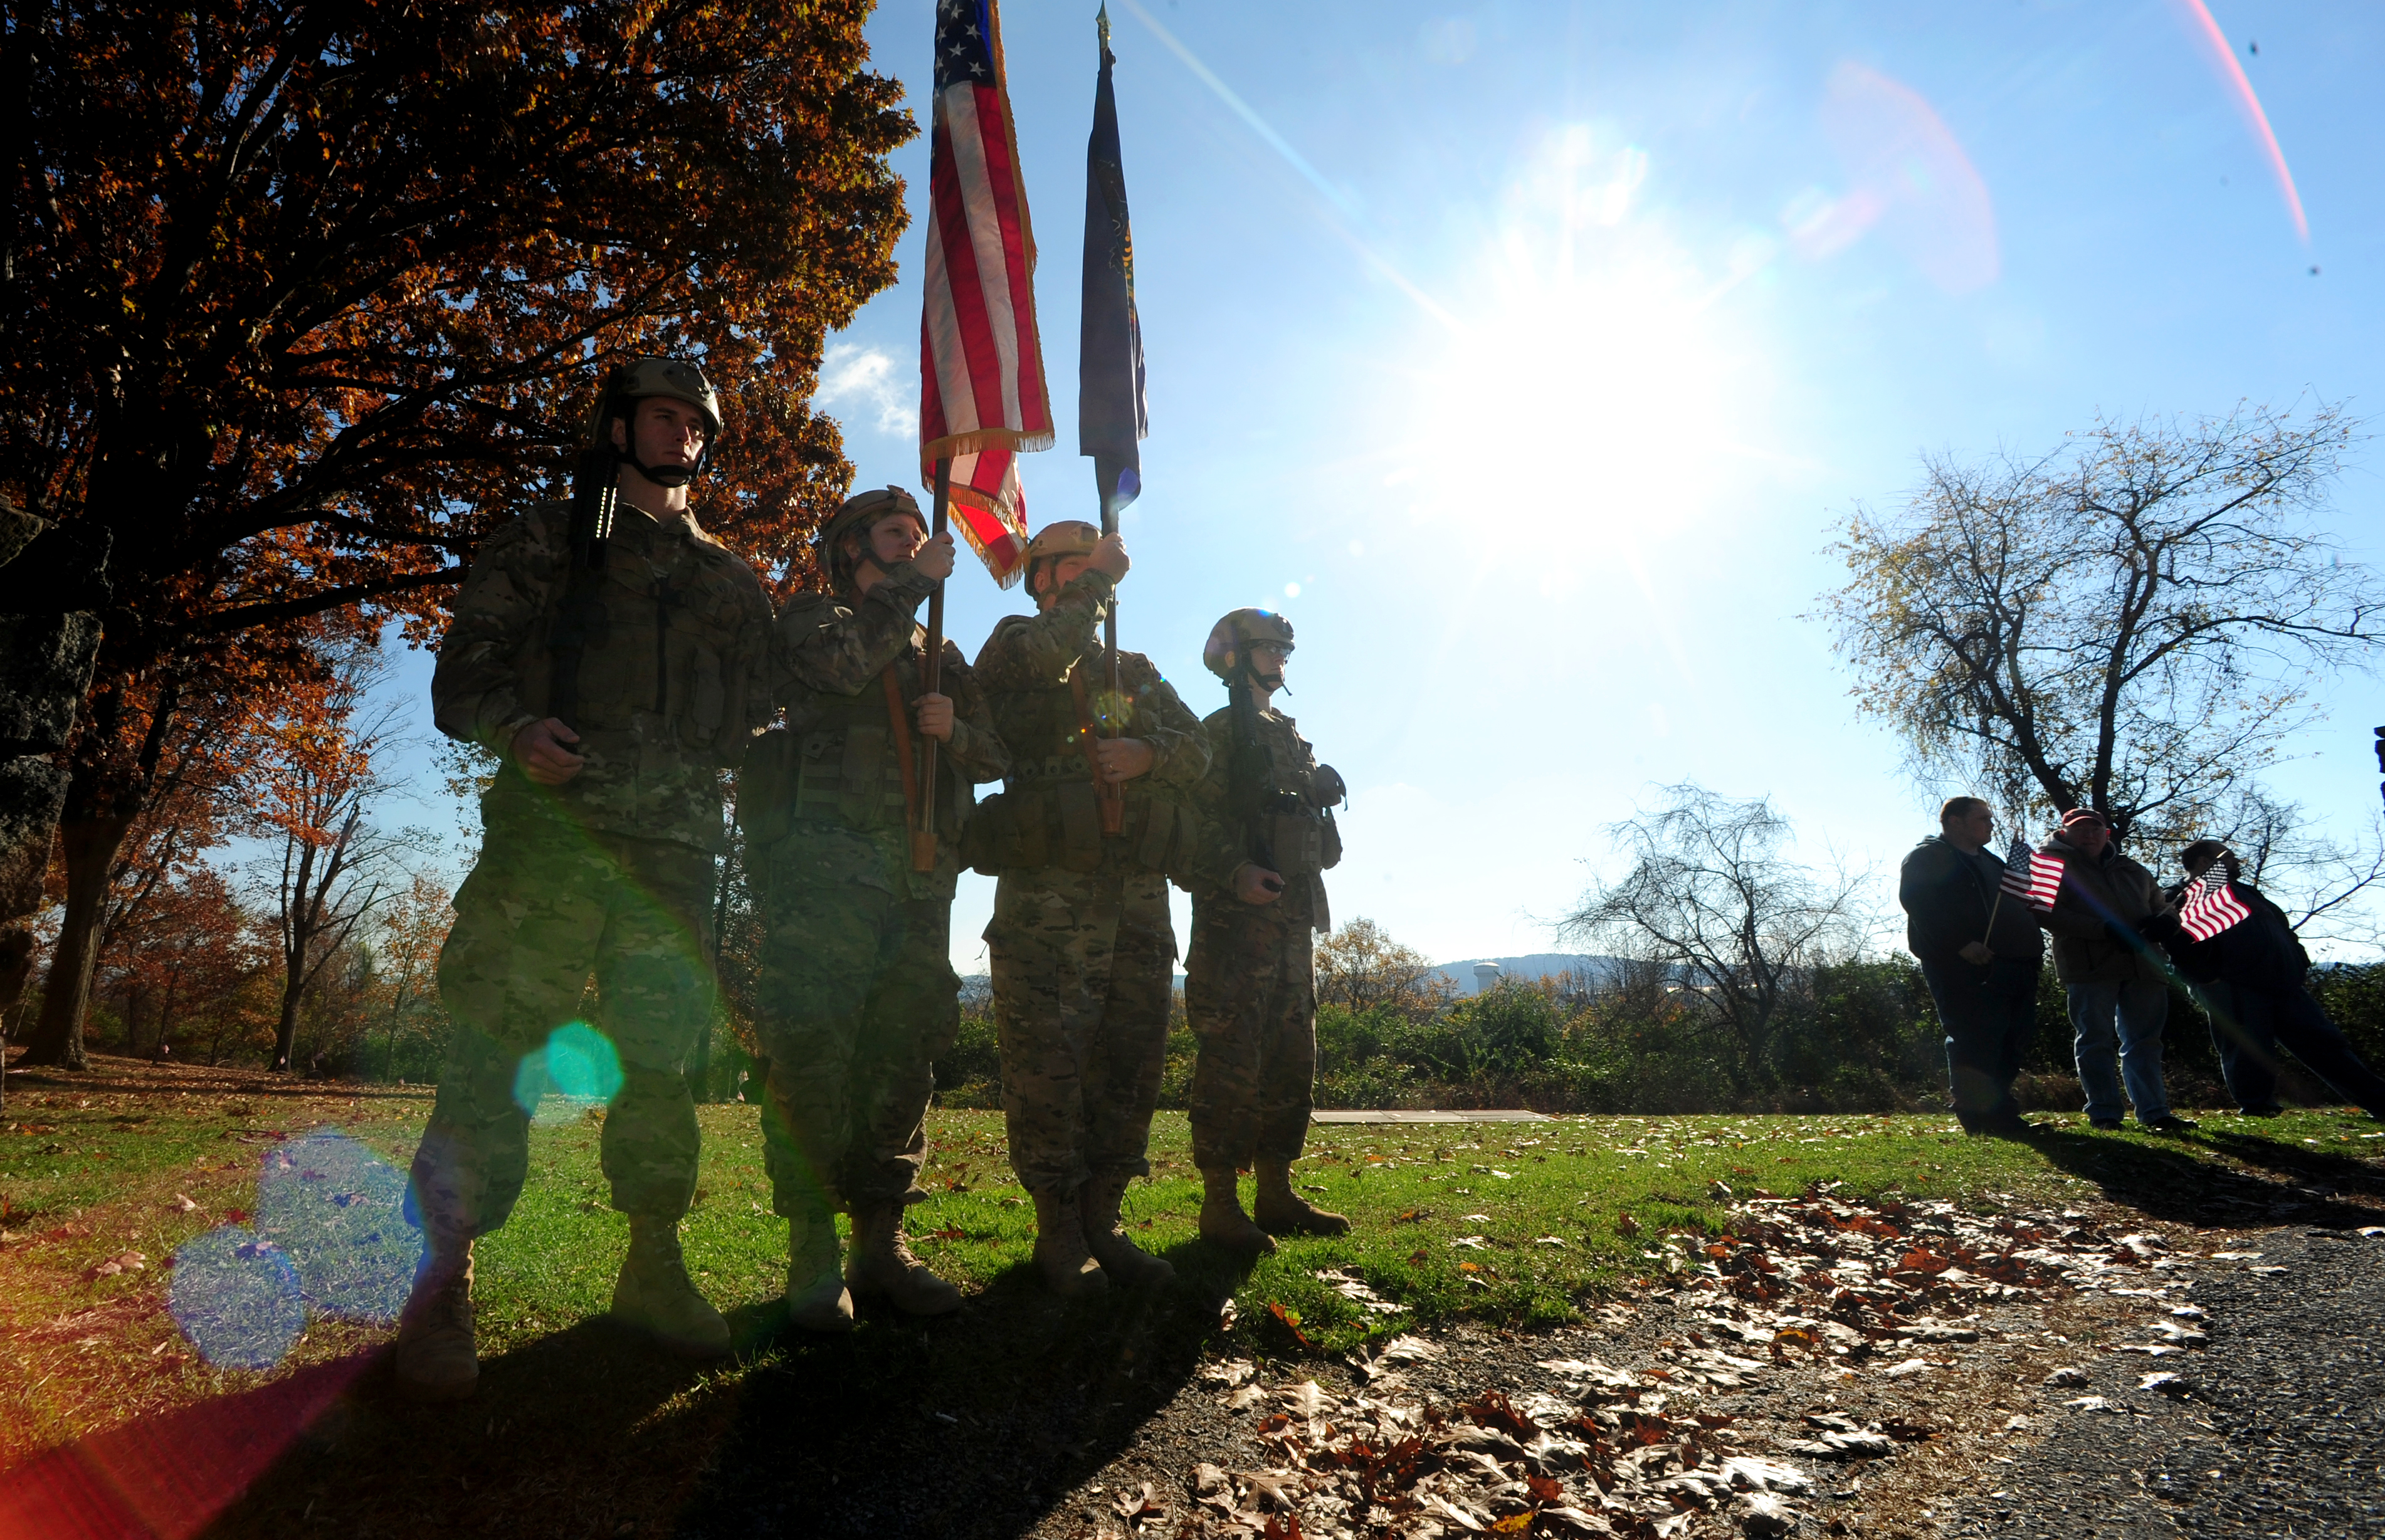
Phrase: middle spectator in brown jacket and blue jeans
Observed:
(2117, 983)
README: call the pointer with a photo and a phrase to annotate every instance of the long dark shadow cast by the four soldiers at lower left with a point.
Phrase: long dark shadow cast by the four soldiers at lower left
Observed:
(958, 1429)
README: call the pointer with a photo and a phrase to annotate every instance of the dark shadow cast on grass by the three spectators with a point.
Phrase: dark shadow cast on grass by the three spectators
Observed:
(2167, 1179)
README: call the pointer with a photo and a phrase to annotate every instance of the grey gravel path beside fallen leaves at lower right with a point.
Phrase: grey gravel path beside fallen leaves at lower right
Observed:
(2274, 1429)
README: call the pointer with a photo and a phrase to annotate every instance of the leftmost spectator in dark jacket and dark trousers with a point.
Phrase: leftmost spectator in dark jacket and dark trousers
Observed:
(1981, 957)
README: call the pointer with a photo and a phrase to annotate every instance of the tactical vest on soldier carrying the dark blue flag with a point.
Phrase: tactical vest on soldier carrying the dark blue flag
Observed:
(1048, 812)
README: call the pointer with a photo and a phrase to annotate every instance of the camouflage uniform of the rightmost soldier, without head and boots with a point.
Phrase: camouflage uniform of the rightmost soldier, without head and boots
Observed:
(1251, 981)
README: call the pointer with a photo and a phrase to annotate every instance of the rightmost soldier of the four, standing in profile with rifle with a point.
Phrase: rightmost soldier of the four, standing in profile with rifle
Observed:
(1251, 983)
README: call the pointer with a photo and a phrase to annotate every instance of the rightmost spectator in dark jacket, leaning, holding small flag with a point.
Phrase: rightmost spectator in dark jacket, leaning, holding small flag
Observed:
(2253, 986)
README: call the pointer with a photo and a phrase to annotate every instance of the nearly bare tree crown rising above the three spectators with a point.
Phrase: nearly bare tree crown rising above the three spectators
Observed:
(2131, 626)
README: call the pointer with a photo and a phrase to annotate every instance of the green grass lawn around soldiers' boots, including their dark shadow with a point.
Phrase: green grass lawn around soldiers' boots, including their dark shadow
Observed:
(1506, 1227)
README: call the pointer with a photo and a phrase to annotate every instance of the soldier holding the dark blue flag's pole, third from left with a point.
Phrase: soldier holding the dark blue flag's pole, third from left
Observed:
(1082, 940)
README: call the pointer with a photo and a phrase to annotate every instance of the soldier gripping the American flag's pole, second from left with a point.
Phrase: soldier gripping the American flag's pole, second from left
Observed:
(857, 988)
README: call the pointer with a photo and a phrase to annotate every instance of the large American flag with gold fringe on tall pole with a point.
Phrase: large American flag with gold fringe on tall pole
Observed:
(979, 352)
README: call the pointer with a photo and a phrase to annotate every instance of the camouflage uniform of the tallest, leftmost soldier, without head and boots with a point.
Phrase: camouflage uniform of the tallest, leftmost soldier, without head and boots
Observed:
(607, 876)
